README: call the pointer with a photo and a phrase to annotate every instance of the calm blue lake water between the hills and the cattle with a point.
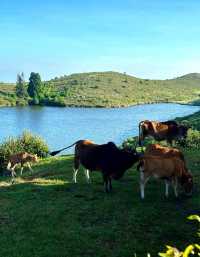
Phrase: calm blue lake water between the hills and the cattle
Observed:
(63, 126)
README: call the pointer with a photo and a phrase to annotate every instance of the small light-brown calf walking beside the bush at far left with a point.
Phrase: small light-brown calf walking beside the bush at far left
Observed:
(21, 158)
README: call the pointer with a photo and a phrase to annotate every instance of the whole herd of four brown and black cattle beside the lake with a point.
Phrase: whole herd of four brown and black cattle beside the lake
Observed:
(166, 163)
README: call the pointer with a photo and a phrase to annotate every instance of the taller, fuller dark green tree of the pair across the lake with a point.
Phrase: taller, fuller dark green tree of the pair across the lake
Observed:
(35, 87)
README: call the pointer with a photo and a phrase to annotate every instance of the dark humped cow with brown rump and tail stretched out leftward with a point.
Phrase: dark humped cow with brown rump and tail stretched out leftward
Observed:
(107, 158)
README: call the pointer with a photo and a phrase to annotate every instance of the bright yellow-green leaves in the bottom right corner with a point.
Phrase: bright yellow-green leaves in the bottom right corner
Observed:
(191, 249)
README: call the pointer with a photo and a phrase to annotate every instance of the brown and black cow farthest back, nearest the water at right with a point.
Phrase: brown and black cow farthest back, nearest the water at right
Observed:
(168, 130)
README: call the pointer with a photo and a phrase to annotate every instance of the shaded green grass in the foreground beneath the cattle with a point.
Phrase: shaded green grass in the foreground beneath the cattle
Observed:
(45, 214)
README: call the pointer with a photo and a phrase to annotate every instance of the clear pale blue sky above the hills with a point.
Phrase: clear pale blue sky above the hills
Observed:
(148, 39)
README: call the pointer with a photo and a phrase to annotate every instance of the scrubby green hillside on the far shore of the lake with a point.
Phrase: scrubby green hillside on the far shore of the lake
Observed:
(112, 89)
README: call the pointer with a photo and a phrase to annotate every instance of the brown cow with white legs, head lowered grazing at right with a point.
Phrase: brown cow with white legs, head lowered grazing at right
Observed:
(171, 169)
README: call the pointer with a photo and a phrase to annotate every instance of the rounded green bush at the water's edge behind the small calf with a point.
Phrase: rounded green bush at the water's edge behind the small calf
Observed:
(26, 142)
